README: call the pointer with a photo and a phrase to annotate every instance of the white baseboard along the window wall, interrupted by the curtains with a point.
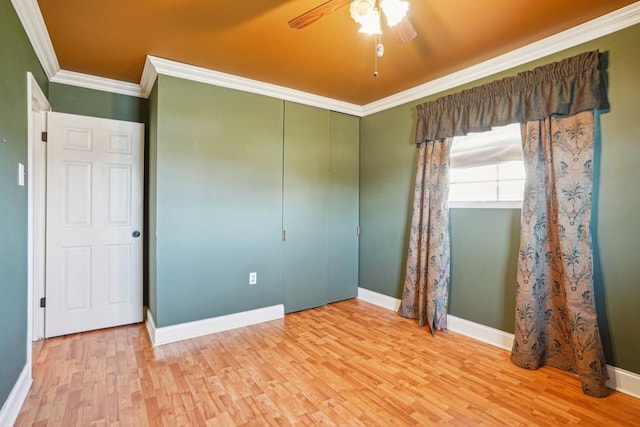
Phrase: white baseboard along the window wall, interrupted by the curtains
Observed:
(619, 379)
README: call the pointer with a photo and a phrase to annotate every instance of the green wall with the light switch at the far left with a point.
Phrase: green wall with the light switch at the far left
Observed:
(18, 57)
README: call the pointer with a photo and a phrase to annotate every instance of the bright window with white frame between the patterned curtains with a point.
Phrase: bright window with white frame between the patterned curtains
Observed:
(487, 169)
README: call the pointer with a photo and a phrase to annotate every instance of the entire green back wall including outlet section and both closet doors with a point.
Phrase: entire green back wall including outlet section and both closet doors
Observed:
(227, 170)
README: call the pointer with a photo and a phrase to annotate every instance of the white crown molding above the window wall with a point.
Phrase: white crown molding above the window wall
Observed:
(591, 30)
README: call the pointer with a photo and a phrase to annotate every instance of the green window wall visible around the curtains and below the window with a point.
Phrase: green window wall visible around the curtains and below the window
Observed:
(484, 241)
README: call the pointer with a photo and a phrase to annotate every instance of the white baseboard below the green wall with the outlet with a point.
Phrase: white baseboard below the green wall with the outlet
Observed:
(168, 334)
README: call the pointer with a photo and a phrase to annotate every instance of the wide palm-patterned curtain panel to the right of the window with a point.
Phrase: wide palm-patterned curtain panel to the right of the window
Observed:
(555, 311)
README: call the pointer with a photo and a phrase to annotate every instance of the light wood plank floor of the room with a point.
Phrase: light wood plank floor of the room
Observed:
(346, 364)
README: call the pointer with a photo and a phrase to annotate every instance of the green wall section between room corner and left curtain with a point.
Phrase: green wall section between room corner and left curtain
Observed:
(387, 171)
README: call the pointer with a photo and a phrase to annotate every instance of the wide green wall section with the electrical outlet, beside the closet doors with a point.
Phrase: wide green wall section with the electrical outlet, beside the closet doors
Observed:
(218, 195)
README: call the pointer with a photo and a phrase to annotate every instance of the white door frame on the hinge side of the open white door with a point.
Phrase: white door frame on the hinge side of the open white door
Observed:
(37, 104)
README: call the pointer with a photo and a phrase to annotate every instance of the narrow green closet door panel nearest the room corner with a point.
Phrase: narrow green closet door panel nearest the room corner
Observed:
(343, 206)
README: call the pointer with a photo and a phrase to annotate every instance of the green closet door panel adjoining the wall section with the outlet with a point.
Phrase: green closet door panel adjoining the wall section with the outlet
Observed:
(305, 206)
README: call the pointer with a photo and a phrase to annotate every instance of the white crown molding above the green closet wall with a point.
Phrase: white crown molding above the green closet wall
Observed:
(204, 75)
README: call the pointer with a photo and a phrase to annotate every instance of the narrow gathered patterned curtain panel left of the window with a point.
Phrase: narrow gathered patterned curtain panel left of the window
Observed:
(426, 285)
